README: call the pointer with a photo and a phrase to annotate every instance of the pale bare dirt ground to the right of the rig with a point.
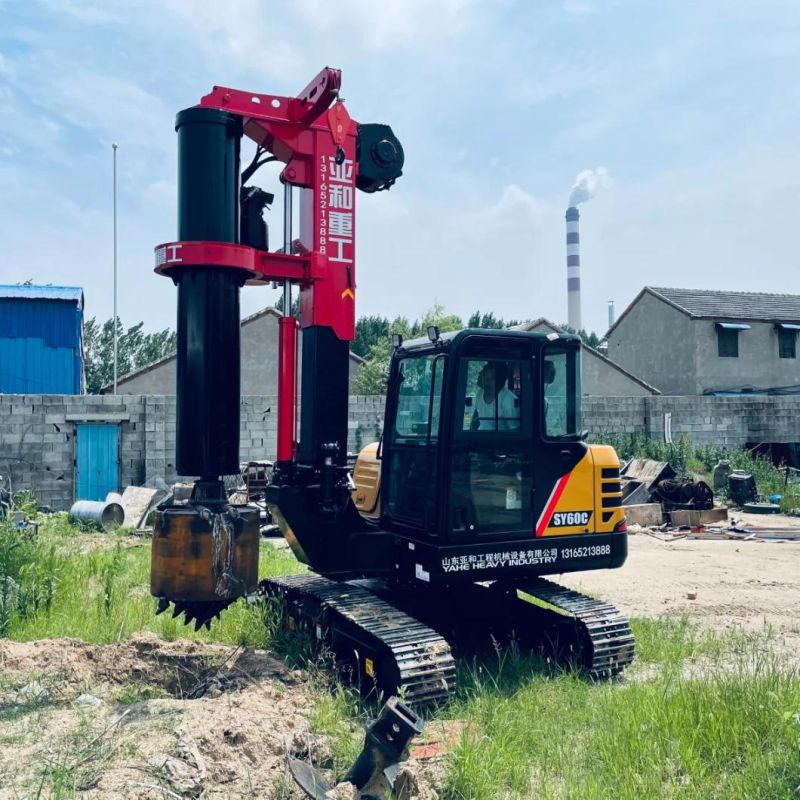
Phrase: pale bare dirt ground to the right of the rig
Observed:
(746, 584)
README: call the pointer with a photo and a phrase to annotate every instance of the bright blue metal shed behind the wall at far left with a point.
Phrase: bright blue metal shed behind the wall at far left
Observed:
(41, 339)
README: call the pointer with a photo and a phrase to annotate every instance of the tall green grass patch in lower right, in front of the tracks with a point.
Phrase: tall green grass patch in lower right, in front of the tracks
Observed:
(729, 733)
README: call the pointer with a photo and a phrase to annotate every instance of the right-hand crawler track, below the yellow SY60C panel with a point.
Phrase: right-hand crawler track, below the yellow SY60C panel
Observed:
(606, 639)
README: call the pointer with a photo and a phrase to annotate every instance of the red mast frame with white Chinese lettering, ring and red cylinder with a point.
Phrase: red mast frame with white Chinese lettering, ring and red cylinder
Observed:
(315, 137)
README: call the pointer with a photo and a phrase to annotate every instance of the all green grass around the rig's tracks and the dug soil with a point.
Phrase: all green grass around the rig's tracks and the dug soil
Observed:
(701, 715)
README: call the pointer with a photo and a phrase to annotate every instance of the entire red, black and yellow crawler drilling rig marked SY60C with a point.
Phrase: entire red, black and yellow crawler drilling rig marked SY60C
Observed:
(481, 484)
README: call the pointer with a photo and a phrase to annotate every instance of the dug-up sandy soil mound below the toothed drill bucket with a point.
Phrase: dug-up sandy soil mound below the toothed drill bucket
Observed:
(221, 727)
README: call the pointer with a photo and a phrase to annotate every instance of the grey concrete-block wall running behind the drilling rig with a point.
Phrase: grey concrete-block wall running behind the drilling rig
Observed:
(37, 432)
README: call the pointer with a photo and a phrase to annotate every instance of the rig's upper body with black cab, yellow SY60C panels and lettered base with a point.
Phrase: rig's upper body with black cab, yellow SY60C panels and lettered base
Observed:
(483, 454)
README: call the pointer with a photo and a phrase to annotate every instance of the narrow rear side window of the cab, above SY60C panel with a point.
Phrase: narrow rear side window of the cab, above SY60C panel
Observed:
(561, 378)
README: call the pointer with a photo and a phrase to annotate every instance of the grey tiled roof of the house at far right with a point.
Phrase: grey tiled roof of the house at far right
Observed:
(732, 305)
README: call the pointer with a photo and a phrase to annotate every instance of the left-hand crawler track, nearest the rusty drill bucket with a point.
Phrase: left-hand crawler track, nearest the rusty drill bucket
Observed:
(390, 650)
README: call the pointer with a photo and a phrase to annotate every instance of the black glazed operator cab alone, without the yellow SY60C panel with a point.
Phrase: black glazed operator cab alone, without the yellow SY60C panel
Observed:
(470, 426)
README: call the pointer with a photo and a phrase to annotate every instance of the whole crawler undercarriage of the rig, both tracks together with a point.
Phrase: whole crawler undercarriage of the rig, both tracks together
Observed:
(401, 651)
